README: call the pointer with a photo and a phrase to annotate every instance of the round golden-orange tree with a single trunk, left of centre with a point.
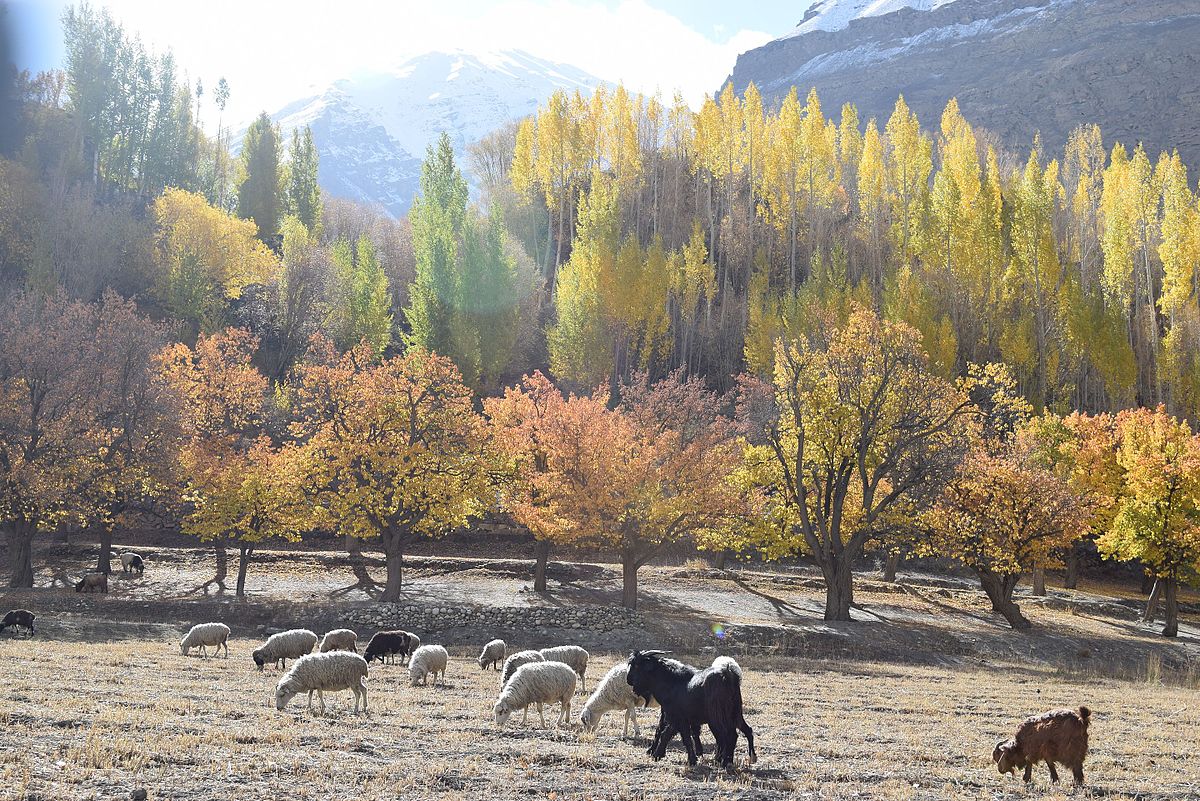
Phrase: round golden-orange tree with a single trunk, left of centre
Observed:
(395, 448)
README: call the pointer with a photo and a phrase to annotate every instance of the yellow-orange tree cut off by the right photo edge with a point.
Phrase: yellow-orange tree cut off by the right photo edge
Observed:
(1159, 515)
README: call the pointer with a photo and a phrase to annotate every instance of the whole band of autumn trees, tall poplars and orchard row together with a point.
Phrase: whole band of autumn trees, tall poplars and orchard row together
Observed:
(760, 330)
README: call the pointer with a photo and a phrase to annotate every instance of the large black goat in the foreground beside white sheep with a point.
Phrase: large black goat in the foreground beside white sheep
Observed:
(689, 698)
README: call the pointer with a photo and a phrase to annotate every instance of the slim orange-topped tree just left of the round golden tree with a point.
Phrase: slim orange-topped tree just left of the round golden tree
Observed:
(224, 401)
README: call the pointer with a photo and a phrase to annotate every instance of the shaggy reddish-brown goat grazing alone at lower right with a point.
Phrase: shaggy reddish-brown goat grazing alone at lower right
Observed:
(1058, 737)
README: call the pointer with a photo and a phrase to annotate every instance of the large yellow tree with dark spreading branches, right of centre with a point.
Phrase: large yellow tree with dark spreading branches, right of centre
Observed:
(855, 426)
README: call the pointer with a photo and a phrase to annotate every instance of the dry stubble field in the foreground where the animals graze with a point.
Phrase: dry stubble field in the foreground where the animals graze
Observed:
(82, 721)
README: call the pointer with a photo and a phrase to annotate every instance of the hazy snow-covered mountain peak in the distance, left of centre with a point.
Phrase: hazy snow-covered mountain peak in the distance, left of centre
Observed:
(373, 130)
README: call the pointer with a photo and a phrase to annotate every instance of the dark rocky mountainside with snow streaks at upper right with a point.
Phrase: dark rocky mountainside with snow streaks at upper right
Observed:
(1017, 67)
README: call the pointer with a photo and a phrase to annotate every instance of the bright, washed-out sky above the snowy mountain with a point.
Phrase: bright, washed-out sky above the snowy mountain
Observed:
(275, 52)
